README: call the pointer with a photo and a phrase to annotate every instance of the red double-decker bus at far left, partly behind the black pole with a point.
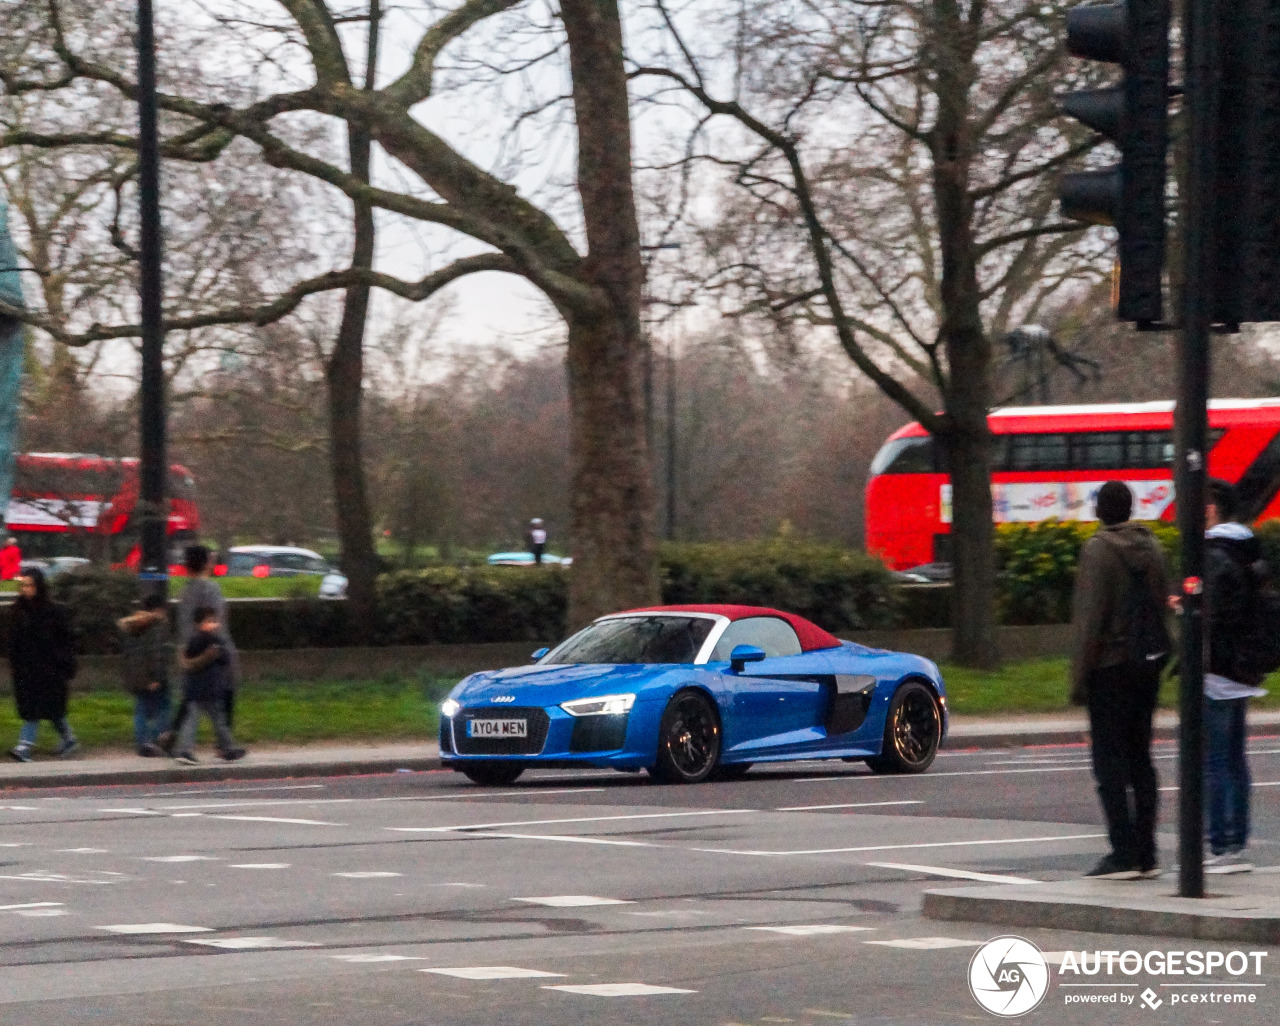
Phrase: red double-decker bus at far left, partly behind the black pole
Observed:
(77, 505)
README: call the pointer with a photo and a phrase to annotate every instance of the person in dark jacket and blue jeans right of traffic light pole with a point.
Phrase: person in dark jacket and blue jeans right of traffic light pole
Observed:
(1233, 576)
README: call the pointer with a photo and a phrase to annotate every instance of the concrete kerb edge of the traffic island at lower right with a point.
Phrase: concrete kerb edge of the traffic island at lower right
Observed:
(1000, 906)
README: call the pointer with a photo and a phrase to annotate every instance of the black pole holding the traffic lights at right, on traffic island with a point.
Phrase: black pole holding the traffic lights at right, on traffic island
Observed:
(1203, 79)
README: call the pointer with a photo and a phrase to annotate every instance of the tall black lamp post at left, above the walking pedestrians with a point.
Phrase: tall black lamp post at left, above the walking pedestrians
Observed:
(153, 510)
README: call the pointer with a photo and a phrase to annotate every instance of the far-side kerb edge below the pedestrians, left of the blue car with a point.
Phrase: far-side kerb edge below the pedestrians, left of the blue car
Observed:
(214, 773)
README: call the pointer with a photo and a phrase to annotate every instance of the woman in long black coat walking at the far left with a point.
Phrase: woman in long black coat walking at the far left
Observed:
(43, 659)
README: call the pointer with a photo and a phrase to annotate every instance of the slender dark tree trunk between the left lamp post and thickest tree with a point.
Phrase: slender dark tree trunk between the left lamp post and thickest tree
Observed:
(346, 381)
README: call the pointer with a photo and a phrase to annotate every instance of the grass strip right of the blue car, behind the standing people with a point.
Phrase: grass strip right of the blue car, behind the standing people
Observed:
(1041, 686)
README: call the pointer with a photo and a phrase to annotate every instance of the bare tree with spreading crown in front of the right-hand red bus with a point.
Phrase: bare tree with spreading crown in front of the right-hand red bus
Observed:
(902, 158)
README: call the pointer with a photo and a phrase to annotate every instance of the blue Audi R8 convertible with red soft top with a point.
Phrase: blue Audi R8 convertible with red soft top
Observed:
(691, 693)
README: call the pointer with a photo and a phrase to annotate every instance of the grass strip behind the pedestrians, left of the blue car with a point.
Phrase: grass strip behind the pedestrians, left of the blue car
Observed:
(280, 712)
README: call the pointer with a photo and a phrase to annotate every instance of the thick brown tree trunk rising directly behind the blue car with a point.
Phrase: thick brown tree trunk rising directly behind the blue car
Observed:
(615, 562)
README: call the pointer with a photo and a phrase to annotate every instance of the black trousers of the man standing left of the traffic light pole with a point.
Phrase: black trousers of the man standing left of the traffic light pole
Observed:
(1122, 703)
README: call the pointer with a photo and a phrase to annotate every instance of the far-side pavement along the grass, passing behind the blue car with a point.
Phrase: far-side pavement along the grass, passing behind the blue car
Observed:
(336, 759)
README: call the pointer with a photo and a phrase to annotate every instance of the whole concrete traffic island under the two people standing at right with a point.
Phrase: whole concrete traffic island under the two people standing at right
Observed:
(1237, 908)
